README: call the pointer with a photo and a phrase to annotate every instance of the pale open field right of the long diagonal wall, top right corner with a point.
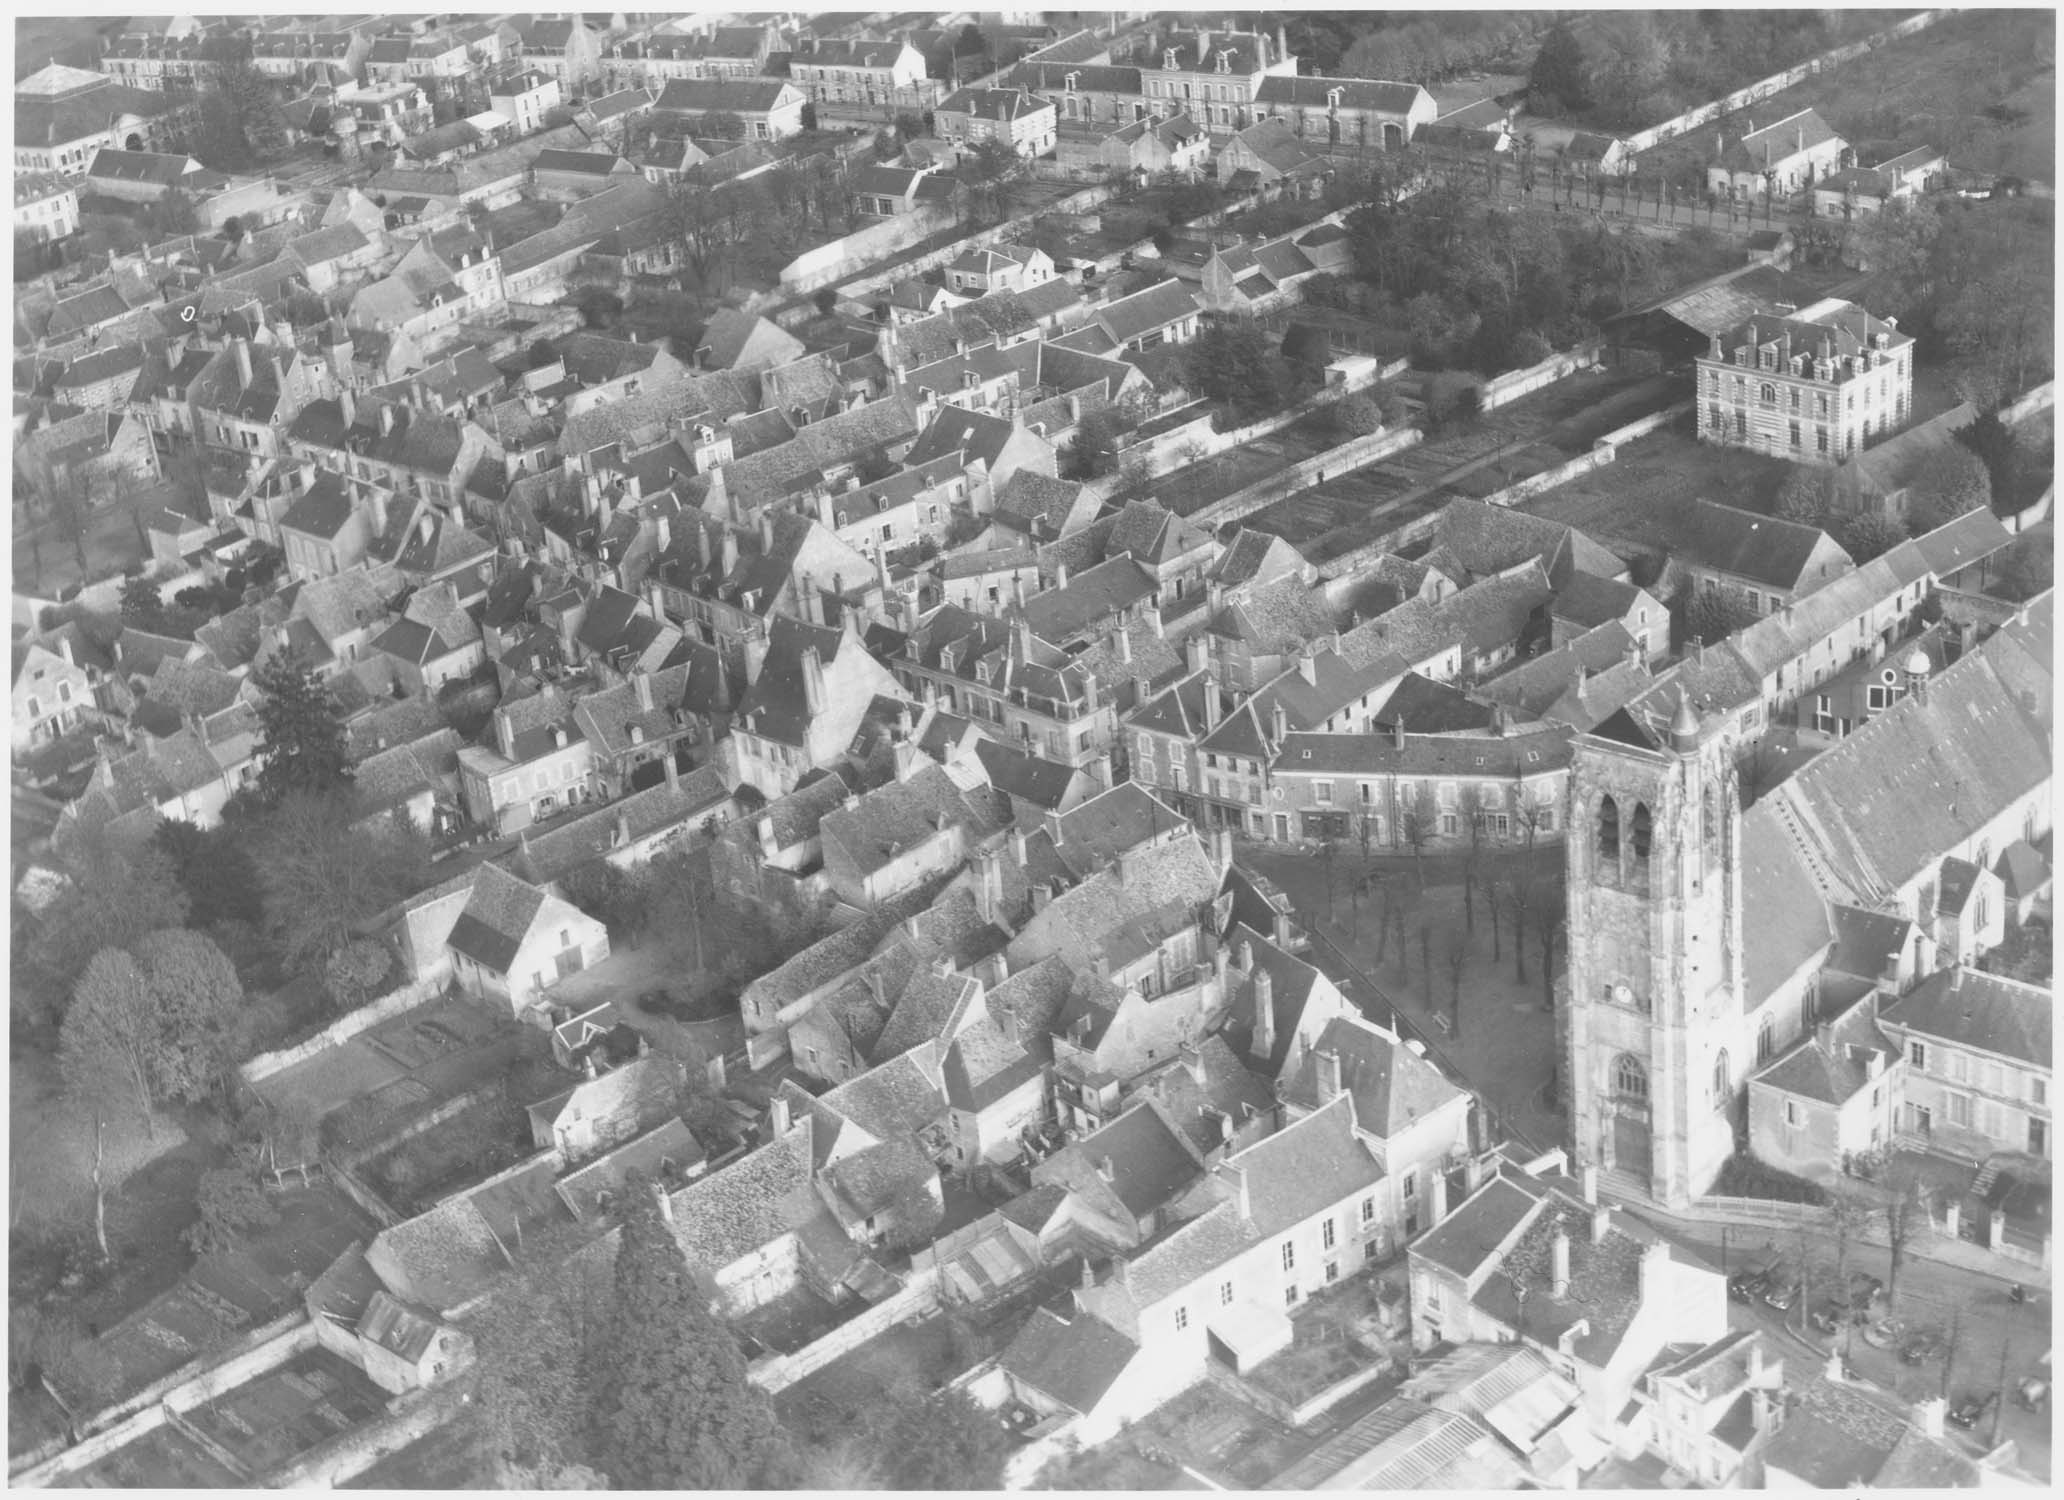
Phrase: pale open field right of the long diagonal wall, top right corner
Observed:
(1980, 86)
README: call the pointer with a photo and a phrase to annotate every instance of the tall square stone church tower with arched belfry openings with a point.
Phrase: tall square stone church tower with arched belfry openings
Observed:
(1652, 1002)
